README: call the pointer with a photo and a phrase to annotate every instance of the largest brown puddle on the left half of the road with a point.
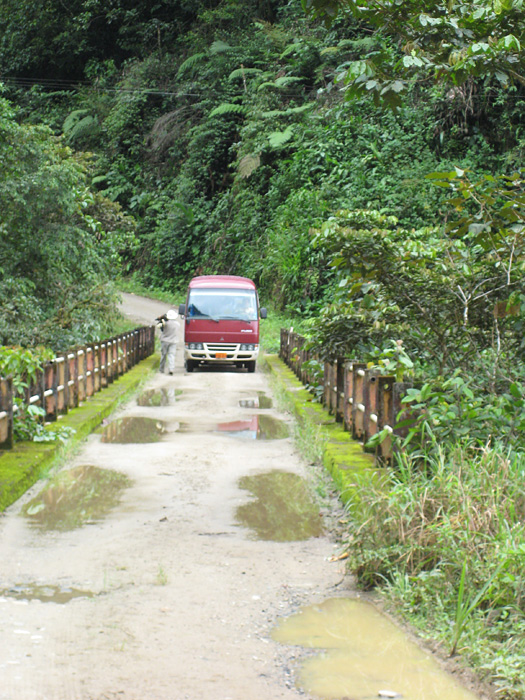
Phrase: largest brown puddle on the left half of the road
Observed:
(76, 497)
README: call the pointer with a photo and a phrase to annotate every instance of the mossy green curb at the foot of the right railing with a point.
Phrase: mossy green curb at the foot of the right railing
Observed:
(350, 467)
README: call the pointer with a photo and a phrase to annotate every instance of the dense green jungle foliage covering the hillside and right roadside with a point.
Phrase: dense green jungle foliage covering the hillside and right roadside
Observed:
(363, 163)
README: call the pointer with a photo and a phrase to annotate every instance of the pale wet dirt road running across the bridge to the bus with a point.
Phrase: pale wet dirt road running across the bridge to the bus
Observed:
(135, 577)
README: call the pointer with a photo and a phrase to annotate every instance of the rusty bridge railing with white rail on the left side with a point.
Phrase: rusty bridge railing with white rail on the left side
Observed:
(70, 378)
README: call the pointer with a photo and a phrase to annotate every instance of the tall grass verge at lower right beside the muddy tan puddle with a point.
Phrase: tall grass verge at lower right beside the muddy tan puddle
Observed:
(445, 544)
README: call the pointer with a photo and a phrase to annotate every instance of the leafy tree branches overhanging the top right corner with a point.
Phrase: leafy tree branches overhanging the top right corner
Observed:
(448, 43)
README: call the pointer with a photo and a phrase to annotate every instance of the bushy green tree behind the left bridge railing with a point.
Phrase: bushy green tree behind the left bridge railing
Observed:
(56, 255)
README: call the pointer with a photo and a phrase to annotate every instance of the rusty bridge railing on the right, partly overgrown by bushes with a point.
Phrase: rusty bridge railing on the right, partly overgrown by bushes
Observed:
(365, 401)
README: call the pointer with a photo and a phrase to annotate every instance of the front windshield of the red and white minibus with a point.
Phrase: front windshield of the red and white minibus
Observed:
(217, 304)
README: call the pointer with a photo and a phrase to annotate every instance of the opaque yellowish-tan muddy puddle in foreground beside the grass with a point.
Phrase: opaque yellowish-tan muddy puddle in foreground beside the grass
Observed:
(364, 654)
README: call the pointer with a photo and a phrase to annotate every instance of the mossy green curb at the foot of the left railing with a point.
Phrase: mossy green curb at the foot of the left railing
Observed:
(22, 466)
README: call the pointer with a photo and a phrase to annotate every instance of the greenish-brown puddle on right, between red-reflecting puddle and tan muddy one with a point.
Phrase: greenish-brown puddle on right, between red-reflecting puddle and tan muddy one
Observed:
(283, 511)
